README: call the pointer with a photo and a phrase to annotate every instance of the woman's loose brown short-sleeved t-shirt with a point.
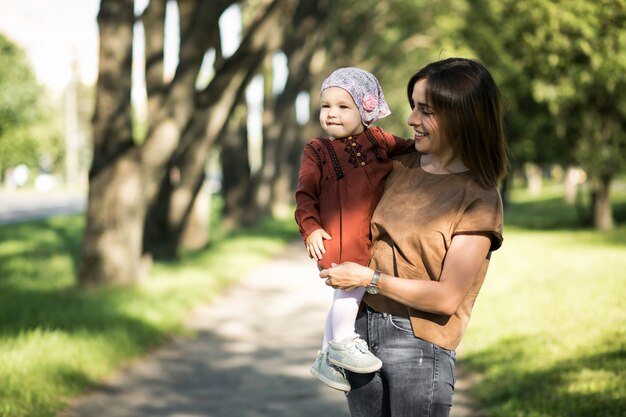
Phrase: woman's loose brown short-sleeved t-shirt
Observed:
(412, 227)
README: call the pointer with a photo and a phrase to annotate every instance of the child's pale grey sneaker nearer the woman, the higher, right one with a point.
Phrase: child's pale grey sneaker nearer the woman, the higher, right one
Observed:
(352, 354)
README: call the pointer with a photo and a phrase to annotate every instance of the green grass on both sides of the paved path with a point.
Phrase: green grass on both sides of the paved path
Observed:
(548, 335)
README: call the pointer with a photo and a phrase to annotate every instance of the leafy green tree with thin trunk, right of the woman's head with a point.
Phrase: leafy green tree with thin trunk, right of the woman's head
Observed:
(563, 60)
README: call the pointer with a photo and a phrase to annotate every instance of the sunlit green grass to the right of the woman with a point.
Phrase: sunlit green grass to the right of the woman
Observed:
(548, 334)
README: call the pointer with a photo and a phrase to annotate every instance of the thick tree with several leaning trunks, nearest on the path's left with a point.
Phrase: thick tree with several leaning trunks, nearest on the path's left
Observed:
(127, 177)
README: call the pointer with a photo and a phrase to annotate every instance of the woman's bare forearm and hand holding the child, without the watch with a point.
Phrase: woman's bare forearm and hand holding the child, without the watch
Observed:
(462, 264)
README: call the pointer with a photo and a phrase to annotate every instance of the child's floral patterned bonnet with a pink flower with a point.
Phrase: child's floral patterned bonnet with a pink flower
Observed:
(364, 89)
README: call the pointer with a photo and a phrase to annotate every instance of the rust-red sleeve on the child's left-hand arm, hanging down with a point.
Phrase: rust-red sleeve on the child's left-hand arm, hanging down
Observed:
(308, 192)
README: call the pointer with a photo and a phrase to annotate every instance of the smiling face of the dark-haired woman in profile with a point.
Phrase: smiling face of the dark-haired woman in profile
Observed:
(428, 137)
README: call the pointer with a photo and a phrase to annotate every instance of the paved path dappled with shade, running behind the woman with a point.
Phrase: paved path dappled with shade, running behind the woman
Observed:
(250, 358)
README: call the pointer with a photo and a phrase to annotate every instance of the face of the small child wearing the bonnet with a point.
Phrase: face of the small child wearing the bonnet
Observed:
(339, 115)
